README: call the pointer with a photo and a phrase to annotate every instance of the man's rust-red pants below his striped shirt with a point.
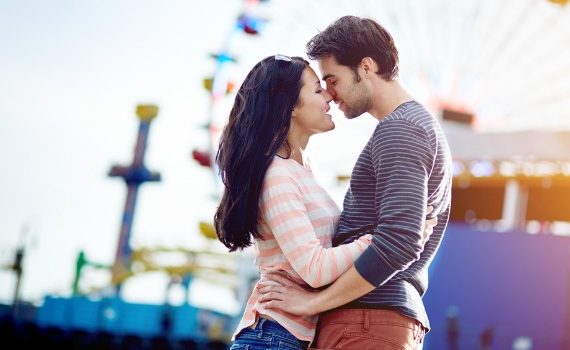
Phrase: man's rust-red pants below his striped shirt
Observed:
(363, 329)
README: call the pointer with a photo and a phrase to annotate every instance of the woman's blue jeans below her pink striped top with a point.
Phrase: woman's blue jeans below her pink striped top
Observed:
(267, 334)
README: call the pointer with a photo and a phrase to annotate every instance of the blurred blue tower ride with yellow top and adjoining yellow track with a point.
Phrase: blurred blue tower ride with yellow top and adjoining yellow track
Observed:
(129, 261)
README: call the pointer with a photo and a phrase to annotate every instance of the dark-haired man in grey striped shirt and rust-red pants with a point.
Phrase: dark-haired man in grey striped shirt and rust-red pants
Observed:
(404, 168)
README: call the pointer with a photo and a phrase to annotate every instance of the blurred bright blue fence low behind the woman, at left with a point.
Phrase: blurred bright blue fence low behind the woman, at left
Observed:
(116, 316)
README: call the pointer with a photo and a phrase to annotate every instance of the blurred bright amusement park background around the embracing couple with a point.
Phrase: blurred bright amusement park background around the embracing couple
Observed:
(97, 98)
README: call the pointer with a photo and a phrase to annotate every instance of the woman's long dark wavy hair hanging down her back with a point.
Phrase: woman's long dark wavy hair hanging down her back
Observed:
(257, 127)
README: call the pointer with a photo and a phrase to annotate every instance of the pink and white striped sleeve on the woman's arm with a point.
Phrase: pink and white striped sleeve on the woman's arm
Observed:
(283, 210)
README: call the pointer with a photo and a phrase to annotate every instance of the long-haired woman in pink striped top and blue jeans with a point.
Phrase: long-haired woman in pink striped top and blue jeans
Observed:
(272, 199)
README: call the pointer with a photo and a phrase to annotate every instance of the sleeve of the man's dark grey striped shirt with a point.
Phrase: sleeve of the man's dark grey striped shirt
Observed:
(402, 159)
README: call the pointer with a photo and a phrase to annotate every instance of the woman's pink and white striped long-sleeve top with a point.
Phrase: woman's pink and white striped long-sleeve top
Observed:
(297, 221)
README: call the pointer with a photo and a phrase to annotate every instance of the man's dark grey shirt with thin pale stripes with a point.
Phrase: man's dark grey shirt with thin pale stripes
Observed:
(404, 167)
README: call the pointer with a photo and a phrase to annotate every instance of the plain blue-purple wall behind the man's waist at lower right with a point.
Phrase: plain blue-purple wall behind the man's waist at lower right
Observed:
(517, 283)
